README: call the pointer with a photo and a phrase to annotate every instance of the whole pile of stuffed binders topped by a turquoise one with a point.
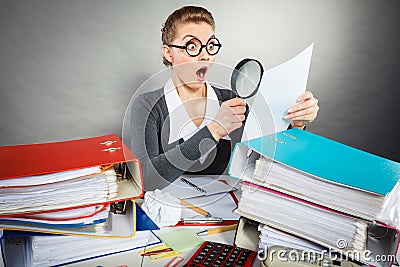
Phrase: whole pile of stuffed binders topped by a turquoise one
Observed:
(333, 195)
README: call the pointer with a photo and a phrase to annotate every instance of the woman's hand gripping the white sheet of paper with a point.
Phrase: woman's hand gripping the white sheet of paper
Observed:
(304, 112)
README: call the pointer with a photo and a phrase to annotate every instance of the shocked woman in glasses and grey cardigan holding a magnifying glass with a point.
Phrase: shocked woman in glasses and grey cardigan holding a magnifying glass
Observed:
(186, 126)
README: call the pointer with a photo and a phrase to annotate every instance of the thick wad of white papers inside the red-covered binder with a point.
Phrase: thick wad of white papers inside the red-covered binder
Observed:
(49, 192)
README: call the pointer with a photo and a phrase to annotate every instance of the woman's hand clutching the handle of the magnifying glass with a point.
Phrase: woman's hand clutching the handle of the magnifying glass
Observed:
(229, 118)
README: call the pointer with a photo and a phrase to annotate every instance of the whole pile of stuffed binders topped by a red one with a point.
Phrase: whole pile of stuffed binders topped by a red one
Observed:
(69, 192)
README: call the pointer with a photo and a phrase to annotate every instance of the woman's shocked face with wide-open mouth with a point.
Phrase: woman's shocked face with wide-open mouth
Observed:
(190, 70)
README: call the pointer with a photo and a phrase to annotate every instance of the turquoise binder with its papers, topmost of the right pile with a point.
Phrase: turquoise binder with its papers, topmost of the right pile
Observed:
(322, 171)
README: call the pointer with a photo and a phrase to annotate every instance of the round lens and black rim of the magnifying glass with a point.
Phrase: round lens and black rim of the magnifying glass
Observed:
(246, 77)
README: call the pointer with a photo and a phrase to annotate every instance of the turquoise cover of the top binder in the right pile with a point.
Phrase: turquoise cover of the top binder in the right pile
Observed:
(327, 159)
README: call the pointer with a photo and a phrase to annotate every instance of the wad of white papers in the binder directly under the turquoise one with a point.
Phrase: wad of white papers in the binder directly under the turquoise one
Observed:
(317, 224)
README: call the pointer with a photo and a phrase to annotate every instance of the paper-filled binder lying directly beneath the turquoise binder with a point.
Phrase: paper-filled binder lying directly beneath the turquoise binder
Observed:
(334, 230)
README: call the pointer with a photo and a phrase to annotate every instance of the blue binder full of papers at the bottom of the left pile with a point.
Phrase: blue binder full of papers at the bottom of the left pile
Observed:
(71, 249)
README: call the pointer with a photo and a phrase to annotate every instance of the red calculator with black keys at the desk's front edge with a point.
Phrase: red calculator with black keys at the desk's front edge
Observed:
(216, 254)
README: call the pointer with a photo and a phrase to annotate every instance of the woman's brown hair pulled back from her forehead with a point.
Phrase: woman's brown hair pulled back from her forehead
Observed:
(183, 15)
